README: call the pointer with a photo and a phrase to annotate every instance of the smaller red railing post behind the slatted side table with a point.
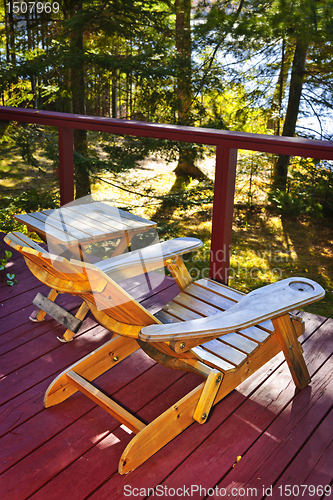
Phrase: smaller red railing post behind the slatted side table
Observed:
(66, 165)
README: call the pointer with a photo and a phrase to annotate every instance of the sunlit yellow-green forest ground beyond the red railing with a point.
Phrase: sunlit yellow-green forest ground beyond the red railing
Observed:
(266, 245)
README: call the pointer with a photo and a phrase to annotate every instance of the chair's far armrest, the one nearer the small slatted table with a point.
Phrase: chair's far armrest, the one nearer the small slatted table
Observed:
(147, 259)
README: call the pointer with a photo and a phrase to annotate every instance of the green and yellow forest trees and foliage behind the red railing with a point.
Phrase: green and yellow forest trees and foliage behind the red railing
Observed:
(249, 65)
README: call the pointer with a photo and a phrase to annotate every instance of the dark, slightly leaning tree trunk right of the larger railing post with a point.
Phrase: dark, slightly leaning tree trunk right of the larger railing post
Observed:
(296, 83)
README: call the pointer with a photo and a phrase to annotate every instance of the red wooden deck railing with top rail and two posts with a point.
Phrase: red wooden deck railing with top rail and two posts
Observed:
(227, 143)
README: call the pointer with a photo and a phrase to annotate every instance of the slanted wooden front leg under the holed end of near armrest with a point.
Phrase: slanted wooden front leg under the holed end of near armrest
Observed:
(292, 350)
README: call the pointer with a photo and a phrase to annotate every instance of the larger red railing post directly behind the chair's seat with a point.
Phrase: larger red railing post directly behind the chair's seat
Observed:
(223, 207)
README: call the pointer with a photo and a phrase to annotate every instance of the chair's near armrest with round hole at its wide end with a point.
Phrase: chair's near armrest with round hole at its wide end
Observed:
(262, 304)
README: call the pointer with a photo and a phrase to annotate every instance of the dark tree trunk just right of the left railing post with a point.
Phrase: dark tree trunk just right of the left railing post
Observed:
(82, 179)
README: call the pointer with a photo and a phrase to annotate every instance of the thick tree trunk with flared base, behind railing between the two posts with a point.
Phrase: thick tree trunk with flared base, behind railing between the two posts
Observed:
(187, 154)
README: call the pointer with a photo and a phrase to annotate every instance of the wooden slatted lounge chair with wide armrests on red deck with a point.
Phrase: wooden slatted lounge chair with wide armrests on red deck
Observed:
(208, 328)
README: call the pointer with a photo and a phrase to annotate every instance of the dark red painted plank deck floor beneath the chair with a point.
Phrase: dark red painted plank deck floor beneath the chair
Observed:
(71, 451)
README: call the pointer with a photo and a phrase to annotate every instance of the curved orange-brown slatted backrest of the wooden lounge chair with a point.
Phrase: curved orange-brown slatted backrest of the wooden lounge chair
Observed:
(110, 304)
